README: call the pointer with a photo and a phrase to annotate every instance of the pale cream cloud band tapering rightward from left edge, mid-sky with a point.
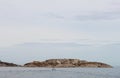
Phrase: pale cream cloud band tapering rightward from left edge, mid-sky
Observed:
(15, 35)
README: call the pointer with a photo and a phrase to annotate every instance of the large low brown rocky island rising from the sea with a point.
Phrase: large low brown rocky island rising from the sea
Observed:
(66, 63)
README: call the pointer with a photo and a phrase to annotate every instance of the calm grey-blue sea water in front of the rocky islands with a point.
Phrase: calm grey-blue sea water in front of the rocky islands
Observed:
(18, 72)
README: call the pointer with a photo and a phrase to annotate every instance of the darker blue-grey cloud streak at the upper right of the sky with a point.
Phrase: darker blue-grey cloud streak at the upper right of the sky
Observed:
(99, 16)
